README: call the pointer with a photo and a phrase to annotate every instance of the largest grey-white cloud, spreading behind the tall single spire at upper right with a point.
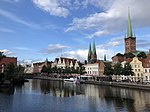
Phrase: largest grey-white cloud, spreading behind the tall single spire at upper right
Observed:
(114, 18)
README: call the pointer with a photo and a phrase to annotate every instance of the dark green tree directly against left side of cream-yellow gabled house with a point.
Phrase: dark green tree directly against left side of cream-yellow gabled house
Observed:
(127, 70)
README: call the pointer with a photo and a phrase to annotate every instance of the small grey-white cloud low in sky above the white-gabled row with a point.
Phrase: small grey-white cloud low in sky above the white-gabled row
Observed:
(54, 48)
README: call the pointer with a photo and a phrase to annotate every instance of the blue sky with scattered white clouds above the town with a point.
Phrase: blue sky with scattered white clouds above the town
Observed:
(33, 30)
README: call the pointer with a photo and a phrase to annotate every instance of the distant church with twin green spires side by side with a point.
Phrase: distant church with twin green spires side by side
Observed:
(92, 56)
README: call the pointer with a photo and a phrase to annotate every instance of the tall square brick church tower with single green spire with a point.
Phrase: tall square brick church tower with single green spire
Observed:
(130, 40)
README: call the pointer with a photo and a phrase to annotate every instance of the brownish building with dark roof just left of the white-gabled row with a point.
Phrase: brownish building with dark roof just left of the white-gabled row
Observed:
(37, 67)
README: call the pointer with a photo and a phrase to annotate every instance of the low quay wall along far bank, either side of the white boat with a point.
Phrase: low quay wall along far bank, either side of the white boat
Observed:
(104, 83)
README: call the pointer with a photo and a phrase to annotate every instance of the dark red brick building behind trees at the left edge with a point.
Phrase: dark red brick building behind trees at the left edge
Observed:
(5, 61)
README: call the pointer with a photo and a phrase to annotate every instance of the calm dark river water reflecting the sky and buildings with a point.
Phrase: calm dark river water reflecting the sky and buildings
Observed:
(55, 96)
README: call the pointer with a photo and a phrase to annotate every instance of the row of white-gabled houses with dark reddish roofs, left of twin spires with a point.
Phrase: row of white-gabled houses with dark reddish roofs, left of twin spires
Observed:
(62, 62)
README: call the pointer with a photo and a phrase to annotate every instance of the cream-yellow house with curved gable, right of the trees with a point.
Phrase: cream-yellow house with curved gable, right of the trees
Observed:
(137, 69)
